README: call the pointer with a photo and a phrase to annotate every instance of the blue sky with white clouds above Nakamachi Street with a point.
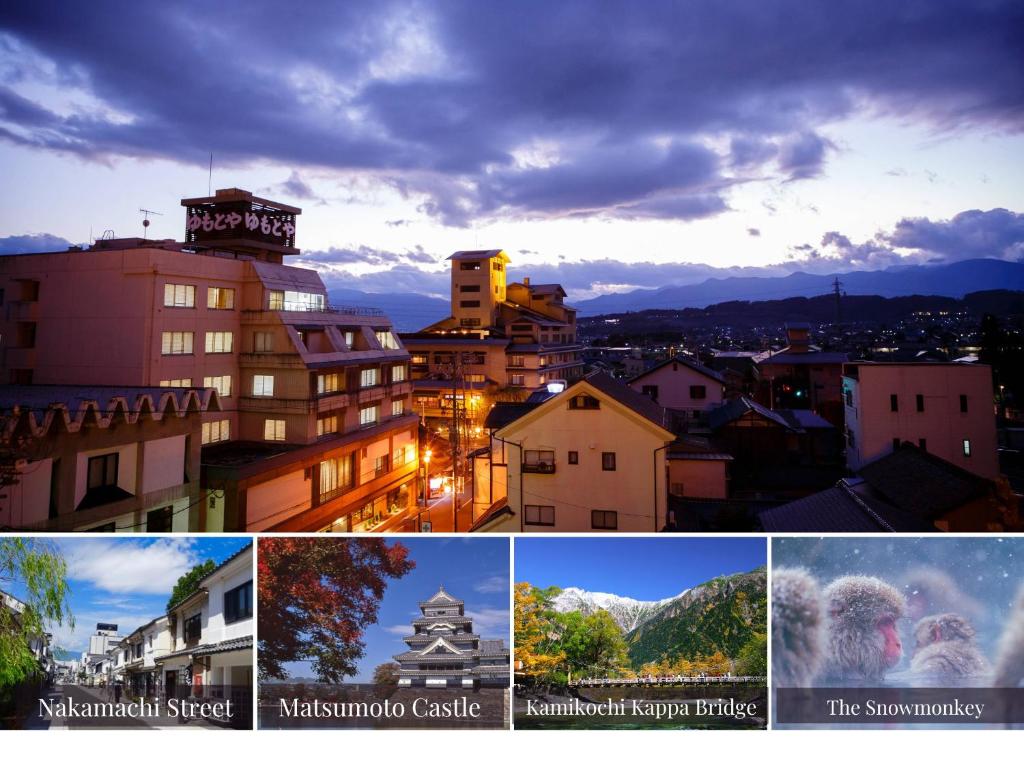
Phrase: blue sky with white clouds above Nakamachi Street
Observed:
(126, 580)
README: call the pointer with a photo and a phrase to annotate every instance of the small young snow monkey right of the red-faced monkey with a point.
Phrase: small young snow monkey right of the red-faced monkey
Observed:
(946, 649)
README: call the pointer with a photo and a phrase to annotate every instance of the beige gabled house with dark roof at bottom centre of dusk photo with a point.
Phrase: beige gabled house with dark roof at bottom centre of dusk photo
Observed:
(589, 459)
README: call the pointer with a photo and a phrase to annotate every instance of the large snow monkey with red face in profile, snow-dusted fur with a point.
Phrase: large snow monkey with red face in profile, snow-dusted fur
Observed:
(864, 642)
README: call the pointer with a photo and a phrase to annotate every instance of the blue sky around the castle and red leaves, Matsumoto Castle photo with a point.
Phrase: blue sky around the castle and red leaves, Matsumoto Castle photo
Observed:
(473, 569)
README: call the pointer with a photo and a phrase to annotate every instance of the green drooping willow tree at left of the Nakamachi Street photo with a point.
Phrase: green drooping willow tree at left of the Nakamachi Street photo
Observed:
(41, 572)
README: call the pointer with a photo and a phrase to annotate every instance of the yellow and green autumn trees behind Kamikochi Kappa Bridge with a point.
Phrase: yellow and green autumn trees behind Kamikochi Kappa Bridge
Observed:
(553, 649)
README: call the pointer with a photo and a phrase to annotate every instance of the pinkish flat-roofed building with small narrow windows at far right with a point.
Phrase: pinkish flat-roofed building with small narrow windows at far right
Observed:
(946, 409)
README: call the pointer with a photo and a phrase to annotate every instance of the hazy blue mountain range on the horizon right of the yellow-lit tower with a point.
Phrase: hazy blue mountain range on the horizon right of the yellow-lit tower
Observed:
(941, 280)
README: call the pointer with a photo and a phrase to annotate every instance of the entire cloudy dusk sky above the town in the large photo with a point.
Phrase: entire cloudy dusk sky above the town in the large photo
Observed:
(608, 146)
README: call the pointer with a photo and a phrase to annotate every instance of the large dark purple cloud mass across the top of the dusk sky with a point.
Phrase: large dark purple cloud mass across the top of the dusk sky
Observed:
(448, 102)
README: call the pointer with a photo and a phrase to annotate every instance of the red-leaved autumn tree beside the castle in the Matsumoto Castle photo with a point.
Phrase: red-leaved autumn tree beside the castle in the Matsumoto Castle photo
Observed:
(316, 599)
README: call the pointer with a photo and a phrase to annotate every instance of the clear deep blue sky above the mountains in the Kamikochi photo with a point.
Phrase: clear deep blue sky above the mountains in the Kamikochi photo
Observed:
(638, 568)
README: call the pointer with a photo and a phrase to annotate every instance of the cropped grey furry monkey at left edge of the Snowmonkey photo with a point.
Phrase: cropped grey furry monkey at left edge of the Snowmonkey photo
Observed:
(798, 621)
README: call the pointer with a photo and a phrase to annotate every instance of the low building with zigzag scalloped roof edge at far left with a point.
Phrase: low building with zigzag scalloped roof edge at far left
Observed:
(103, 458)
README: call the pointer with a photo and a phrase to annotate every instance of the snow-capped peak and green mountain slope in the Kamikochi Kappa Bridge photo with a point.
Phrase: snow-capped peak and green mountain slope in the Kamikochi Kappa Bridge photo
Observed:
(720, 615)
